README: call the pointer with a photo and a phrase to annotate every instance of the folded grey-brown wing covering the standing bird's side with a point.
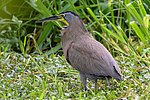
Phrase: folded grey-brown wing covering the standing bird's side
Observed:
(89, 56)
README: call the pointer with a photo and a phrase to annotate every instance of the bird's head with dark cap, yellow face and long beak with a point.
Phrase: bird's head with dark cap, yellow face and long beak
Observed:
(65, 17)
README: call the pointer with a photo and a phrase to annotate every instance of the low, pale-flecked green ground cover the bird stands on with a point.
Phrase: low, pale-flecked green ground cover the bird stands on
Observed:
(41, 77)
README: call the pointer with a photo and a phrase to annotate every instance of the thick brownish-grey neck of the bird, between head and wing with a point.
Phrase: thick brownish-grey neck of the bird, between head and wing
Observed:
(72, 33)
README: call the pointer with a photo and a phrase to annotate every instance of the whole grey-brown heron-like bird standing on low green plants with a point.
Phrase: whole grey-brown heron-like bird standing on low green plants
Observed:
(84, 53)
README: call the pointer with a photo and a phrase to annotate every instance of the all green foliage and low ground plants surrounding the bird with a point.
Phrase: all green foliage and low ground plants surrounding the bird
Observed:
(32, 65)
